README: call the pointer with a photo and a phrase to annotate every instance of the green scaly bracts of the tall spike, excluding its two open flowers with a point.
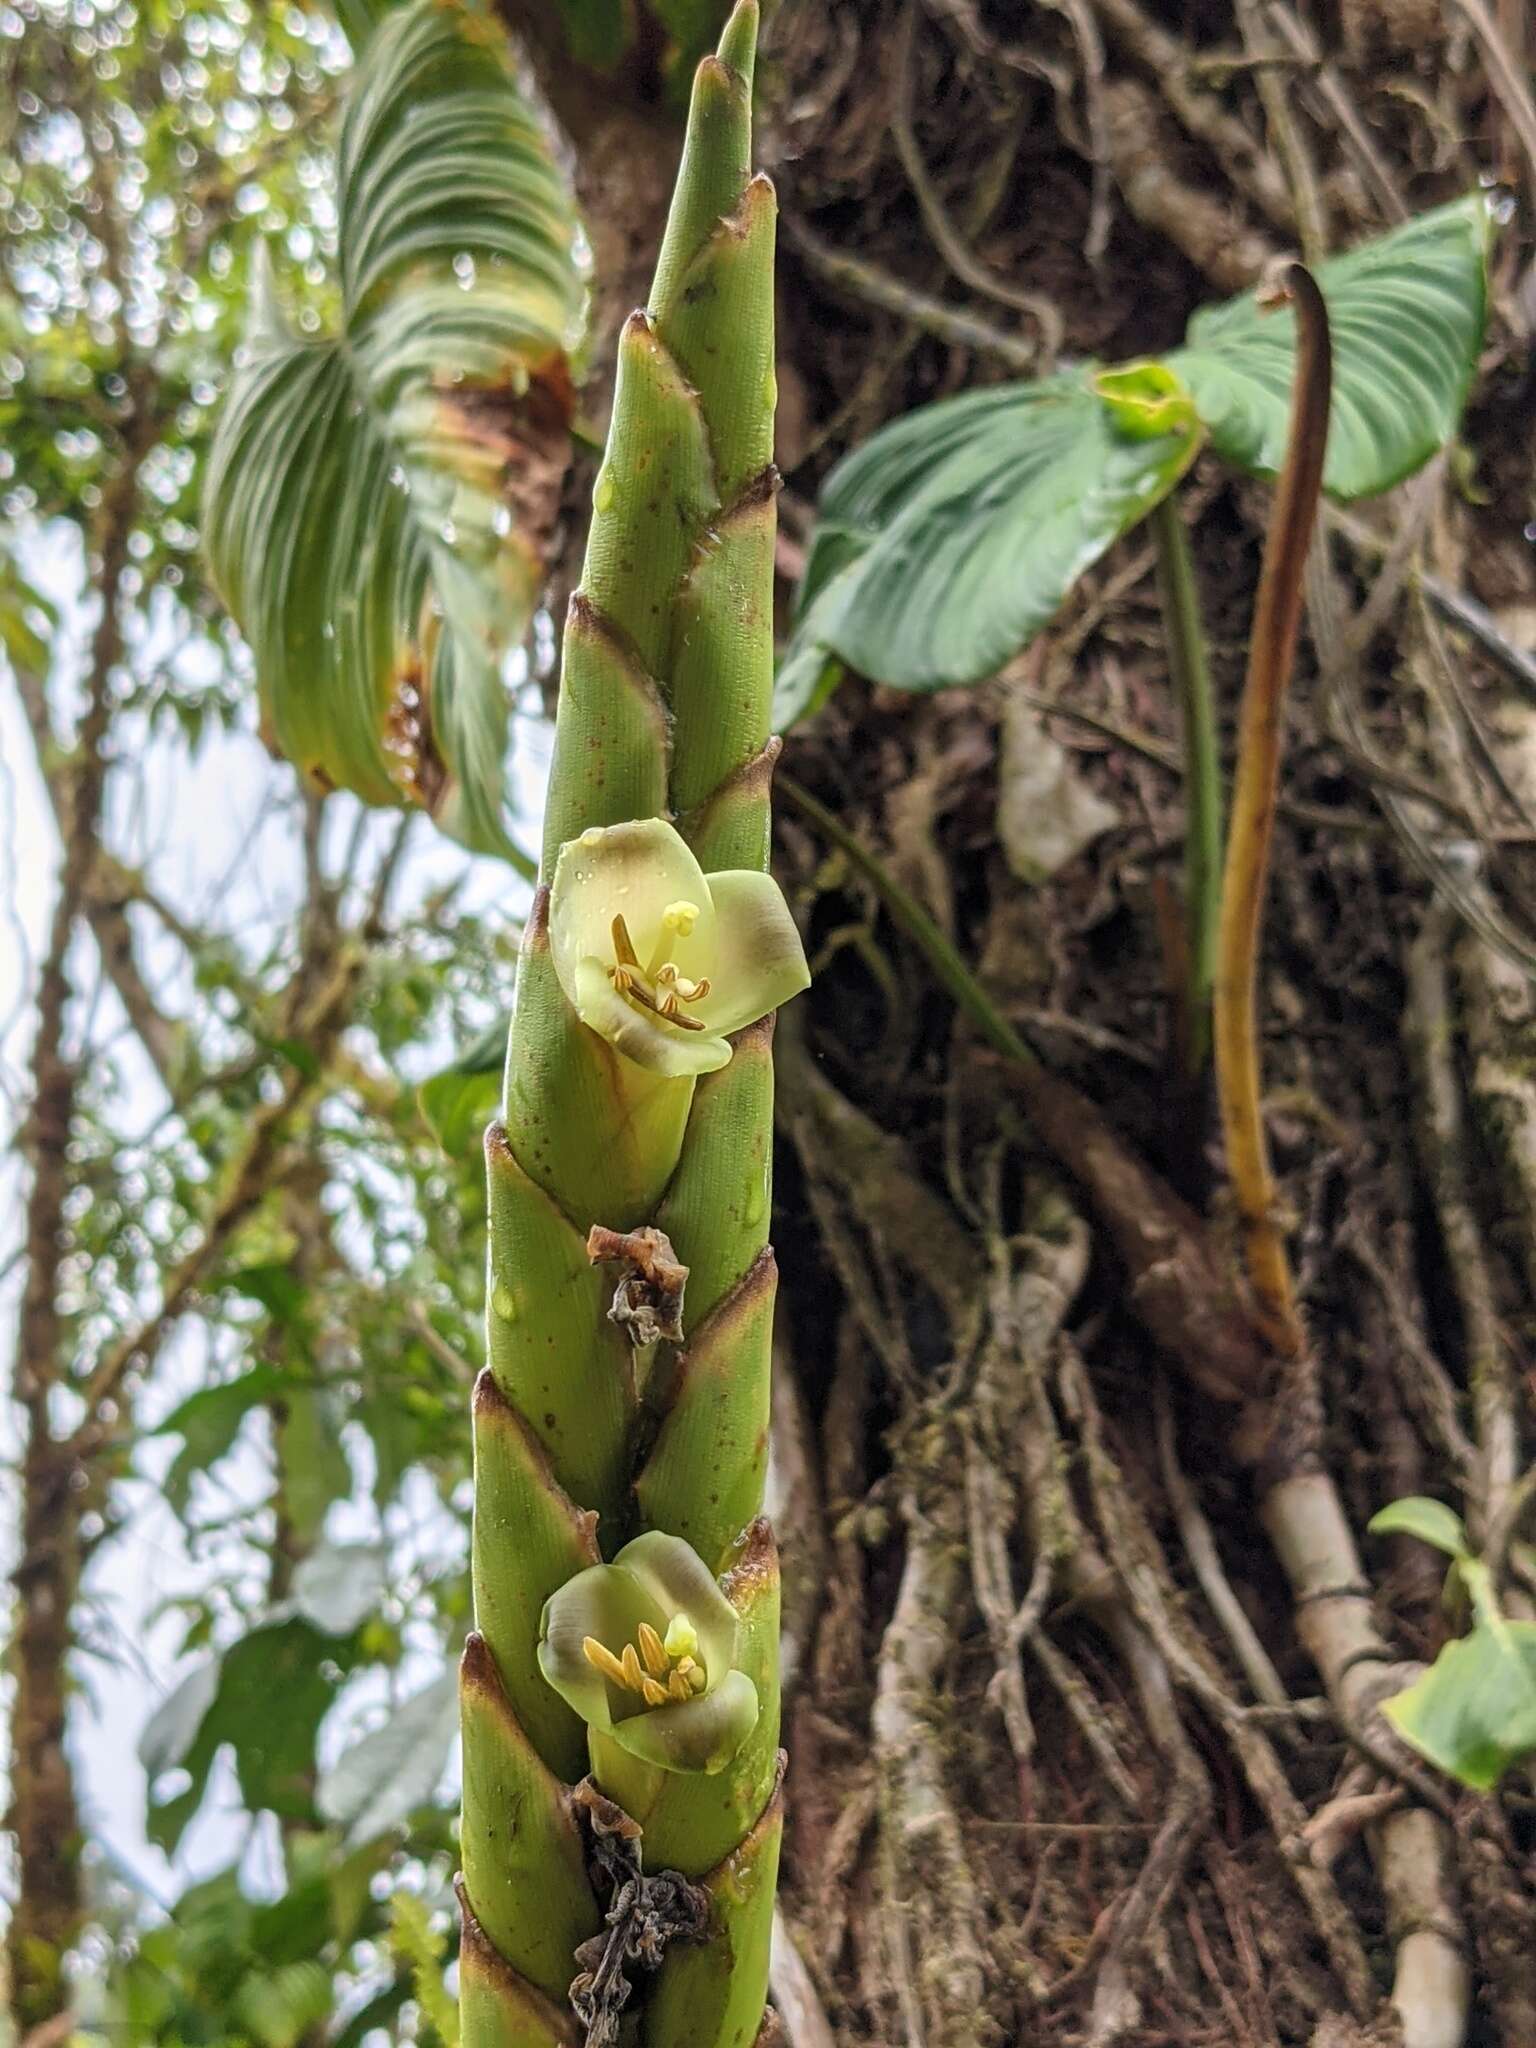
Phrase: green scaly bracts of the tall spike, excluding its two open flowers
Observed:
(583, 1443)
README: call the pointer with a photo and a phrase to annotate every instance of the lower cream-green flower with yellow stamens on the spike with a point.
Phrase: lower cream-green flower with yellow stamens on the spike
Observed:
(646, 1652)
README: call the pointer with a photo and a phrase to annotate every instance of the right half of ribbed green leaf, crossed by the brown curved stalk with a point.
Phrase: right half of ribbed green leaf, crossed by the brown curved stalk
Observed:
(1408, 323)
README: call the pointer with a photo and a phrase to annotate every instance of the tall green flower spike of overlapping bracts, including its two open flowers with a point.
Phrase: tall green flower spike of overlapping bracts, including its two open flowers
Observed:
(640, 1101)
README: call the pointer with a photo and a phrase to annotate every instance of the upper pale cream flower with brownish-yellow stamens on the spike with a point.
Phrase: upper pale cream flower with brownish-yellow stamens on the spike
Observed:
(660, 959)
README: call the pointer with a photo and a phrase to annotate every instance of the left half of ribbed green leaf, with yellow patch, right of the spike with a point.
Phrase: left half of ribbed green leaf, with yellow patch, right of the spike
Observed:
(955, 536)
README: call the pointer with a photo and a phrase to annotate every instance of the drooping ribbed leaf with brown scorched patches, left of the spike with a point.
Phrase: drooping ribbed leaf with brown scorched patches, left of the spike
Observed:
(378, 501)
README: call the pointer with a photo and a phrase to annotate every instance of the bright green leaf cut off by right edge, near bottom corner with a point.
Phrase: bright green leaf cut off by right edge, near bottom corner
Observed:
(1474, 1713)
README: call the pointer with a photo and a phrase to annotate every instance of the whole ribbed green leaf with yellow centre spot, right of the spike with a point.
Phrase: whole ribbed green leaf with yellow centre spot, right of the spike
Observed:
(953, 538)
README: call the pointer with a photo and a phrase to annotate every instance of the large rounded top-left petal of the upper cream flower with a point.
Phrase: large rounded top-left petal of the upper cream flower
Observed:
(628, 871)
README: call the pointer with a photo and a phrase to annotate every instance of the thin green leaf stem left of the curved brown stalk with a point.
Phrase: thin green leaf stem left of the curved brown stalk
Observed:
(1187, 654)
